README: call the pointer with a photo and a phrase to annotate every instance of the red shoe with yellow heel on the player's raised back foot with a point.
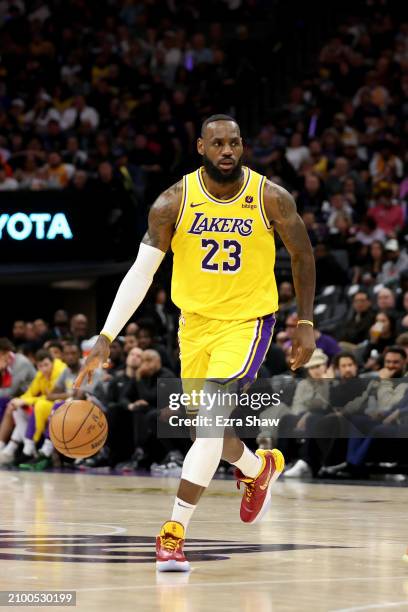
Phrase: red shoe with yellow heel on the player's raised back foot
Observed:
(257, 496)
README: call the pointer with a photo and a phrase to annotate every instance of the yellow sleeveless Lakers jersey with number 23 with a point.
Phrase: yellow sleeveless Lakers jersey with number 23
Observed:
(224, 252)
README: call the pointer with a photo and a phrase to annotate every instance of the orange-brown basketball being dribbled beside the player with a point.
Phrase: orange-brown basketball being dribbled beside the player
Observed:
(78, 429)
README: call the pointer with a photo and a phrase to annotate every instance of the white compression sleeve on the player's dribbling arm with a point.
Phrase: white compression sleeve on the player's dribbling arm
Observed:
(132, 289)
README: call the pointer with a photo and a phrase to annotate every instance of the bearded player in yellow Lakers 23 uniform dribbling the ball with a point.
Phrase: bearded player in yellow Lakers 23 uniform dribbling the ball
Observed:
(219, 222)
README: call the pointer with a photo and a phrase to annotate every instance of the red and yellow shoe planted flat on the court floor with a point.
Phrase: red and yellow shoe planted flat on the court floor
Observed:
(169, 548)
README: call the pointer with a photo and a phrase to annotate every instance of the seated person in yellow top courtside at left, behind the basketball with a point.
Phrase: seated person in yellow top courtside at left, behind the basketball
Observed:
(49, 370)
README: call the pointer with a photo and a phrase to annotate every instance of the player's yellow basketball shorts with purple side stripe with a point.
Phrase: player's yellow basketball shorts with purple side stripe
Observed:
(223, 350)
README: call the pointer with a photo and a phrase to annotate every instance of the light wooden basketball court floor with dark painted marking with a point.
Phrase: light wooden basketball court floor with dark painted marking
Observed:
(321, 547)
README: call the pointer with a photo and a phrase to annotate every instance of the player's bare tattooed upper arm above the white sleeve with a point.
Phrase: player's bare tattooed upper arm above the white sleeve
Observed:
(163, 216)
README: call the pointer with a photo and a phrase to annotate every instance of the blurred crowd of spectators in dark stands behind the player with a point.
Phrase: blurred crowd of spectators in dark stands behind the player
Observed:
(107, 99)
